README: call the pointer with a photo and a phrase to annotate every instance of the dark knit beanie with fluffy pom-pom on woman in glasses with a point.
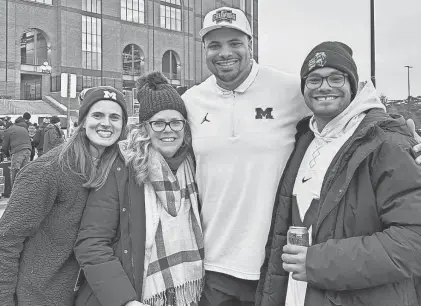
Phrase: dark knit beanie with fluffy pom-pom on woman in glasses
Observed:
(155, 94)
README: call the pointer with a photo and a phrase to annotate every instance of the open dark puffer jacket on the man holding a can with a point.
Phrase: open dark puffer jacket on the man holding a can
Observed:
(367, 237)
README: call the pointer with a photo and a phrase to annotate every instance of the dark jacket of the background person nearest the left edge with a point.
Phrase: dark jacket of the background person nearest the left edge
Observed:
(16, 138)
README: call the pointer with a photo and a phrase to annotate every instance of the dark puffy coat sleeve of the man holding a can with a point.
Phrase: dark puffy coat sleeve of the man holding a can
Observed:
(389, 256)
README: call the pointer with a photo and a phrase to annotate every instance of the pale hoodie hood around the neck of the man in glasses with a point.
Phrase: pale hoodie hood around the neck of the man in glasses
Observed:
(365, 100)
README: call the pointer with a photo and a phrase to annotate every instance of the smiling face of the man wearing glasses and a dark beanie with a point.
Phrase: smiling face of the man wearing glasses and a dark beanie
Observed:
(327, 102)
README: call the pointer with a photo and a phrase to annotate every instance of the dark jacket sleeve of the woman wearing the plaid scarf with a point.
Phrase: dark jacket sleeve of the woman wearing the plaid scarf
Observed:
(103, 270)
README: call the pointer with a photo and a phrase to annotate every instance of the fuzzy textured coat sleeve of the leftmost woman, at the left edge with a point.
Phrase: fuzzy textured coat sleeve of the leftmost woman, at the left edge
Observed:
(32, 198)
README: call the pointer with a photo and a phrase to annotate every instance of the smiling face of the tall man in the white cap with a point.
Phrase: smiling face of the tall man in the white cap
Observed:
(228, 53)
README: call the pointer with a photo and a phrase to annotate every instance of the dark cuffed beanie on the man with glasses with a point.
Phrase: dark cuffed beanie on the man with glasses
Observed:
(332, 54)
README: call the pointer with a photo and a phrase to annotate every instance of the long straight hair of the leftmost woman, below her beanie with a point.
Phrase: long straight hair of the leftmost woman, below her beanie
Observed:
(76, 157)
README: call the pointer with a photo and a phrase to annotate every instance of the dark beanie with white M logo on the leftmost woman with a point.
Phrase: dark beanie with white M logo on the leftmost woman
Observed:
(90, 96)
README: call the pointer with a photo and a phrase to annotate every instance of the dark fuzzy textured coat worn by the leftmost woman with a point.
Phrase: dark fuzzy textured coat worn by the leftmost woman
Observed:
(37, 233)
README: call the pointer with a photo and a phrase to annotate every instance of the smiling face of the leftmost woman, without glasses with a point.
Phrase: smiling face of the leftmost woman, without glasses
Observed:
(103, 124)
